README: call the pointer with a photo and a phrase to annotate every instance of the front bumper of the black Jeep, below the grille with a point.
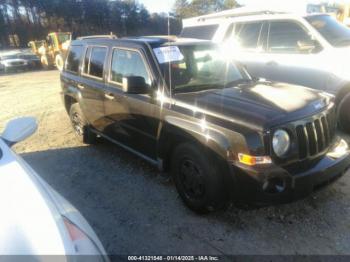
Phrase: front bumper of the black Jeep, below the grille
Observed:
(275, 185)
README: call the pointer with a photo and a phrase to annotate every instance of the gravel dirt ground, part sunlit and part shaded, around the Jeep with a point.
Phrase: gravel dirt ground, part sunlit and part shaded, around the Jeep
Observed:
(134, 210)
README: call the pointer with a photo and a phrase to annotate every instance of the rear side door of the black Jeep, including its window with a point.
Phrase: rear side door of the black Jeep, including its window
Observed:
(92, 85)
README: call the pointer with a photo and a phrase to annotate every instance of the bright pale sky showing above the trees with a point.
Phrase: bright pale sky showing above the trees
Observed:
(167, 5)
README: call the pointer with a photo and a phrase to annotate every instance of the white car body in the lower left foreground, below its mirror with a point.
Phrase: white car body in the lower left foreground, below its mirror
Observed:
(31, 221)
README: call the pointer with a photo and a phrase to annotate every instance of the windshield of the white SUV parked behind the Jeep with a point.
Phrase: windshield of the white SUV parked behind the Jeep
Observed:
(335, 33)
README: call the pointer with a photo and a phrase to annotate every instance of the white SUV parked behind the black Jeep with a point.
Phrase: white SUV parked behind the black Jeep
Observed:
(310, 50)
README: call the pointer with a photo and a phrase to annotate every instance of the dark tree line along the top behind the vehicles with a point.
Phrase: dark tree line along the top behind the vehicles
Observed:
(34, 19)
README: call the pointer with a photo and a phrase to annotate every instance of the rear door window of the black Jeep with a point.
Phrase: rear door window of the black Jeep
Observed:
(94, 61)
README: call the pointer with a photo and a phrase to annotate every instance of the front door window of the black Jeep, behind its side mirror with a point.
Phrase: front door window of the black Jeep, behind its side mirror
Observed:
(128, 63)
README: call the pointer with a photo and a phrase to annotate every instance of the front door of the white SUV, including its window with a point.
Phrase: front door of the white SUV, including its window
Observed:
(290, 59)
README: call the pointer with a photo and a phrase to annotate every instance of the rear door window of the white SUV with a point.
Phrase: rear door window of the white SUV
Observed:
(248, 34)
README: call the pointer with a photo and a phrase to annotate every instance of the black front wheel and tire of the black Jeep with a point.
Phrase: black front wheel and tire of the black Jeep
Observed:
(198, 179)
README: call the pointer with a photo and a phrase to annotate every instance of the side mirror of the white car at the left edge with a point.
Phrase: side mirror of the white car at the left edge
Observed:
(19, 129)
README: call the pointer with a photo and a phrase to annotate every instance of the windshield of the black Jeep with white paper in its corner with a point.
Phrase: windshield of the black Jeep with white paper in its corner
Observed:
(198, 67)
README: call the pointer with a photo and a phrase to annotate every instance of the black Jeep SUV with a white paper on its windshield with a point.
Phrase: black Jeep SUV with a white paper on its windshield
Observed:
(185, 106)
